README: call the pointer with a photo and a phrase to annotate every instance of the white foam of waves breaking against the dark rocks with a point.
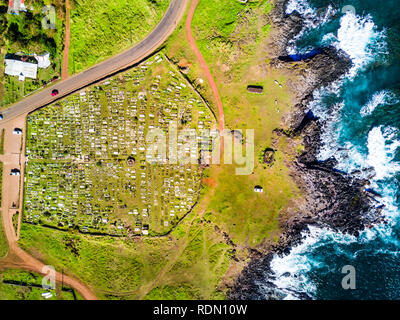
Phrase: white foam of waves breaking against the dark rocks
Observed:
(363, 42)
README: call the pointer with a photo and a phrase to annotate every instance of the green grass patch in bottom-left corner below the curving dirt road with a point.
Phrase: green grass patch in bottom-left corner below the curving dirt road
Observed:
(22, 285)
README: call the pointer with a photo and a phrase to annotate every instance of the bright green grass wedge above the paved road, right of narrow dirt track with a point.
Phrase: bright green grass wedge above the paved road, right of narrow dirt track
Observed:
(102, 28)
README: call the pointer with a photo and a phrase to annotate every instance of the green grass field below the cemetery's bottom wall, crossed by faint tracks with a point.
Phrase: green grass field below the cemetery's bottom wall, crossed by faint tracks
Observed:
(189, 263)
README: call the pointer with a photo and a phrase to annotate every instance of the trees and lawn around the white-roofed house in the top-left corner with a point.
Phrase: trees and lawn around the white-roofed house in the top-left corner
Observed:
(24, 33)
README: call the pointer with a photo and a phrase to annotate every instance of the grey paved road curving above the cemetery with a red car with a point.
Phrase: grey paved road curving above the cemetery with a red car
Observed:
(99, 71)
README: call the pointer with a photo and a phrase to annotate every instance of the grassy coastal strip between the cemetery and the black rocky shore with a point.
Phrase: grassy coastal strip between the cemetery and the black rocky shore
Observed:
(231, 37)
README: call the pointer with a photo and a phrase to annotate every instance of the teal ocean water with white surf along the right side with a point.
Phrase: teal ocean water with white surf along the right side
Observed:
(361, 112)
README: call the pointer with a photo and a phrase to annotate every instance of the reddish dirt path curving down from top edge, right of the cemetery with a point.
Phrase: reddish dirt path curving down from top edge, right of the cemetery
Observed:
(203, 64)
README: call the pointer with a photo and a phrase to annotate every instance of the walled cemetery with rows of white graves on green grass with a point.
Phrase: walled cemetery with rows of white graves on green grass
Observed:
(87, 167)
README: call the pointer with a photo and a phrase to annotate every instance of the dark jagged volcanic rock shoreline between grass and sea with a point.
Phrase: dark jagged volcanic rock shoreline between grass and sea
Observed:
(332, 199)
